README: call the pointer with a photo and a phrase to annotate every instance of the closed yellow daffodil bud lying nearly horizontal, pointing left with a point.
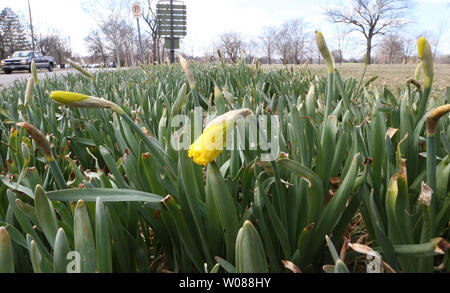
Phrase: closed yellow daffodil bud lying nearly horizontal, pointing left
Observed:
(82, 101)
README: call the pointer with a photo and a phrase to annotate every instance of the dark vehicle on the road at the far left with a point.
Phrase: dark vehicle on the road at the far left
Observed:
(21, 60)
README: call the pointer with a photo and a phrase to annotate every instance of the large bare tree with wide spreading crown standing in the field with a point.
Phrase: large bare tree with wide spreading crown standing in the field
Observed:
(371, 18)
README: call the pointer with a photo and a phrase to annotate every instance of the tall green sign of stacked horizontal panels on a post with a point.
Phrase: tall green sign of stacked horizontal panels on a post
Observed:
(171, 24)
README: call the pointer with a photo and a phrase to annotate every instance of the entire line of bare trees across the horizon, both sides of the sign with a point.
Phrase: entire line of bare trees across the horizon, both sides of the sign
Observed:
(380, 23)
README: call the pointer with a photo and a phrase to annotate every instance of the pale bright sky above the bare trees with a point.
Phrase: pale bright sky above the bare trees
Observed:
(209, 18)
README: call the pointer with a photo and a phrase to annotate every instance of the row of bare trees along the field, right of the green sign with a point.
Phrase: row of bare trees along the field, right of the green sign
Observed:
(380, 23)
